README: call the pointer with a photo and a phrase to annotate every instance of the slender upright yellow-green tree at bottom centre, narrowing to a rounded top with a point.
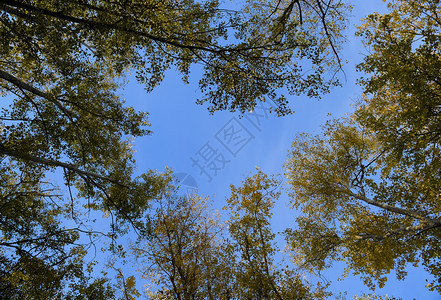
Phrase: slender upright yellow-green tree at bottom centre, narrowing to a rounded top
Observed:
(257, 274)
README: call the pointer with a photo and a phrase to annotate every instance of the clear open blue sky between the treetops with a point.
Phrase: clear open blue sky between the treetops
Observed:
(184, 130)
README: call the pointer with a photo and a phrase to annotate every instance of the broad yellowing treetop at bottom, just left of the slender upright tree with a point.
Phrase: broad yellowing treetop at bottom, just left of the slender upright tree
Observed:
(183, 257)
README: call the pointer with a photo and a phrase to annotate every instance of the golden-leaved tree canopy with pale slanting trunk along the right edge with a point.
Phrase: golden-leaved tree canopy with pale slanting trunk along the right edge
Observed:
(369, 186)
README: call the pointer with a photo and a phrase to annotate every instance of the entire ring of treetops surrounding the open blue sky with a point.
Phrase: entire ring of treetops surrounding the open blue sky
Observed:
(367, 185)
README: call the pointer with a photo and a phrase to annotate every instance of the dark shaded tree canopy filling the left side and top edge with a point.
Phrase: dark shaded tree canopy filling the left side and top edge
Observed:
(62, 63)
